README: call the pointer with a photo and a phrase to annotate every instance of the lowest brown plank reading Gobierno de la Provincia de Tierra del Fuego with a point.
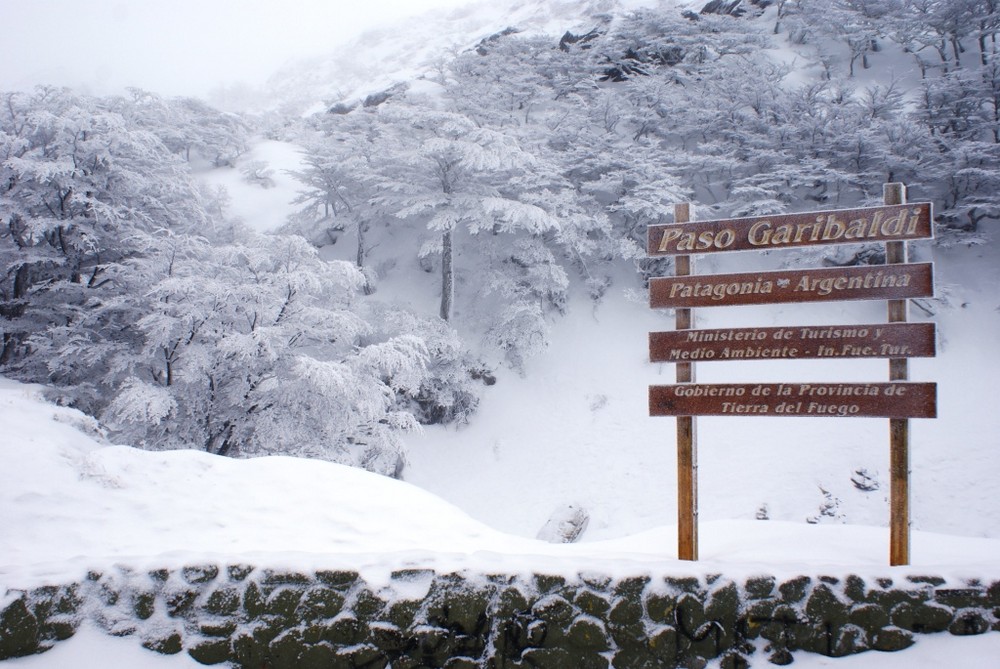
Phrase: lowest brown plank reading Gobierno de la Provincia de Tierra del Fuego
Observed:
(896, 399)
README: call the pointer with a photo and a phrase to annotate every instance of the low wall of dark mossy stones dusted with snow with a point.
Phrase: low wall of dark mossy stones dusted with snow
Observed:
(245, 616)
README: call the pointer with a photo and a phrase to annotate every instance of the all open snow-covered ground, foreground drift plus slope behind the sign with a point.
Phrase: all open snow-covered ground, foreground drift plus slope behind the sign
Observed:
(574, 429)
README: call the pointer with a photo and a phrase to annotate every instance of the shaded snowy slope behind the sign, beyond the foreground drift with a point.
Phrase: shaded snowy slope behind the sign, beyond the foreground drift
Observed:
(574, 428)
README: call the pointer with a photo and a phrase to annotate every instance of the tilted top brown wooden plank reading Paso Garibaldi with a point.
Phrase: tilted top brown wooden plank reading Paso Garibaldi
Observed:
(903, 222)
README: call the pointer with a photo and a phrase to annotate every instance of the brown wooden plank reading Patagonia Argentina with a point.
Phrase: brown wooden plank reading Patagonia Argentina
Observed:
(870, 282)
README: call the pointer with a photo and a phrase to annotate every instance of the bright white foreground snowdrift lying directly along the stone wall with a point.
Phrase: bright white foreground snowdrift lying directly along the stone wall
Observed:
(73, 503)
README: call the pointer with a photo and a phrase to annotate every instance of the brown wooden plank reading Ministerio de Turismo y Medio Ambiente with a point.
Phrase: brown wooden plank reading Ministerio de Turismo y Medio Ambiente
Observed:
(887, 340)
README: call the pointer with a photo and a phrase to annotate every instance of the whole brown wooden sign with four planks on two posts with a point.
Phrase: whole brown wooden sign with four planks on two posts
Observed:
(896, 281)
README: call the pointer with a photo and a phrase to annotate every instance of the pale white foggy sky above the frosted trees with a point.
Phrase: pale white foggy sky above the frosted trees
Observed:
(176, 47)
